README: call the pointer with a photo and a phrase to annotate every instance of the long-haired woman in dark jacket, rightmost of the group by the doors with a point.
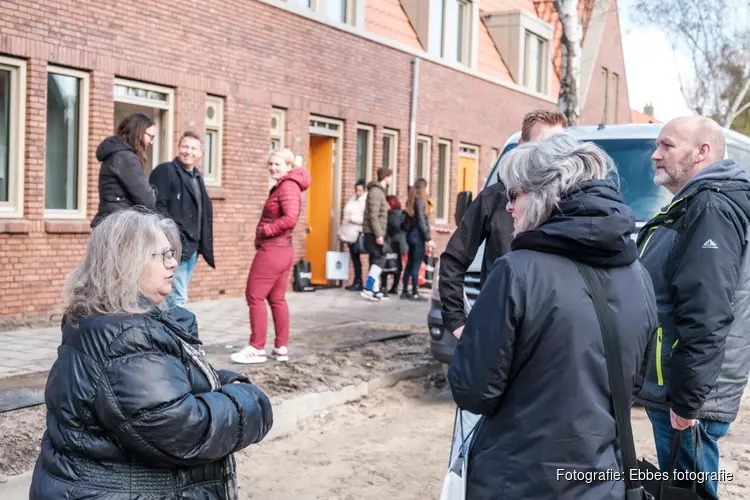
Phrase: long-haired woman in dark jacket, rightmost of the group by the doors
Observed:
(418, 212)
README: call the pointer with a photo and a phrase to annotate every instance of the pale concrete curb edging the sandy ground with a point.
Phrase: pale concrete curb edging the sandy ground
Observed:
(287, 415)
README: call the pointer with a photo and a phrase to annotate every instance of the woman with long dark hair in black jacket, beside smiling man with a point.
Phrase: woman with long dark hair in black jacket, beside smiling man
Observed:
(123, 182)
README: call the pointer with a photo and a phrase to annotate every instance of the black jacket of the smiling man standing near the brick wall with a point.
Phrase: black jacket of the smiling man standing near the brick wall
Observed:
(176, 198)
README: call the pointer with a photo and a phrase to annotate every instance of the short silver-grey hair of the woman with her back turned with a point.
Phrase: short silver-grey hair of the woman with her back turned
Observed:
(547, 169)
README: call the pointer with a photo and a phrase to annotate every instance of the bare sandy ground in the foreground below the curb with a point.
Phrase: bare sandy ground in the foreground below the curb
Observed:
(394, 445)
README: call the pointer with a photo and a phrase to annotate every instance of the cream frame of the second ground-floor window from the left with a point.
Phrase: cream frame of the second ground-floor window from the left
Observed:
(83, 154)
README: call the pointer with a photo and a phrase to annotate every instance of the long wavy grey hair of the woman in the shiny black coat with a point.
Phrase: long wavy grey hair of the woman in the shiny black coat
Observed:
(107, 280)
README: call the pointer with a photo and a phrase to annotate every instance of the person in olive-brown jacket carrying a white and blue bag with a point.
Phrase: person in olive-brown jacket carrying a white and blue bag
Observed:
(375, 226)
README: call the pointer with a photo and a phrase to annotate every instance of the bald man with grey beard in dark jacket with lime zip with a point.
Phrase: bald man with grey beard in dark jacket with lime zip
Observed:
(695, 252)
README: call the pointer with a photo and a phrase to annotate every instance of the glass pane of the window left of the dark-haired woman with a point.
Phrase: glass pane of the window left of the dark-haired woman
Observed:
(61, 173)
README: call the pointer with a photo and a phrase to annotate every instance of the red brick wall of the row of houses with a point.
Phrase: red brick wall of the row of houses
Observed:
(300, 65)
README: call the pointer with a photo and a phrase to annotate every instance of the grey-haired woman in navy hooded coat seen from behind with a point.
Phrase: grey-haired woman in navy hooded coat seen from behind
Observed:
(531, 357)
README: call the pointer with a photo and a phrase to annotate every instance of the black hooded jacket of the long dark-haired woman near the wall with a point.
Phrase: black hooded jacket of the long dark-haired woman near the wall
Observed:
(122, 181)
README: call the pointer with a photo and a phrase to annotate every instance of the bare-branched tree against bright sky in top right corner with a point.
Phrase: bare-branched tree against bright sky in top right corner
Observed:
(715, 34)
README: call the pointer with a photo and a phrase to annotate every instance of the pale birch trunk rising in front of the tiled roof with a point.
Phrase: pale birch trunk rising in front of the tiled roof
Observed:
(570, 73)
